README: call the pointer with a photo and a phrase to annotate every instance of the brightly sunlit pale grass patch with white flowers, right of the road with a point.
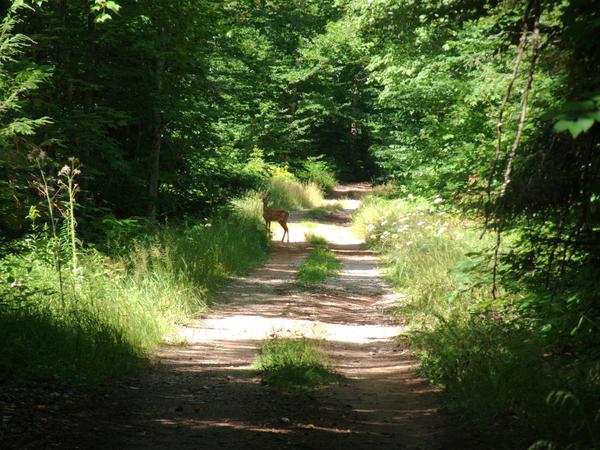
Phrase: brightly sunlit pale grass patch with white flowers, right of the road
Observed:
(421, 245)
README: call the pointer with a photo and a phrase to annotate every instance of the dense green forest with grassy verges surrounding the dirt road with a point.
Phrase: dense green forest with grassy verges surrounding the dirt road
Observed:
(136, 138)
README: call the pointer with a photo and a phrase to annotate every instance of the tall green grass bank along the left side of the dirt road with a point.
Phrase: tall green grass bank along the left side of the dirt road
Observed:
(116, 310)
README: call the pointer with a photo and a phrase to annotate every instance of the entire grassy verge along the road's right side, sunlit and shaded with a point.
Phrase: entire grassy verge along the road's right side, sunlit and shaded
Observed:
(496, 363)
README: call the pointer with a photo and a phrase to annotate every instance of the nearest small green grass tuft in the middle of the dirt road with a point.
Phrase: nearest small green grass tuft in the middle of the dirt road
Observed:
(294, 364)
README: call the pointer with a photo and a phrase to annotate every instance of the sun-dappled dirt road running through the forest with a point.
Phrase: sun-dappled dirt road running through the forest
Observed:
(204, 393)
